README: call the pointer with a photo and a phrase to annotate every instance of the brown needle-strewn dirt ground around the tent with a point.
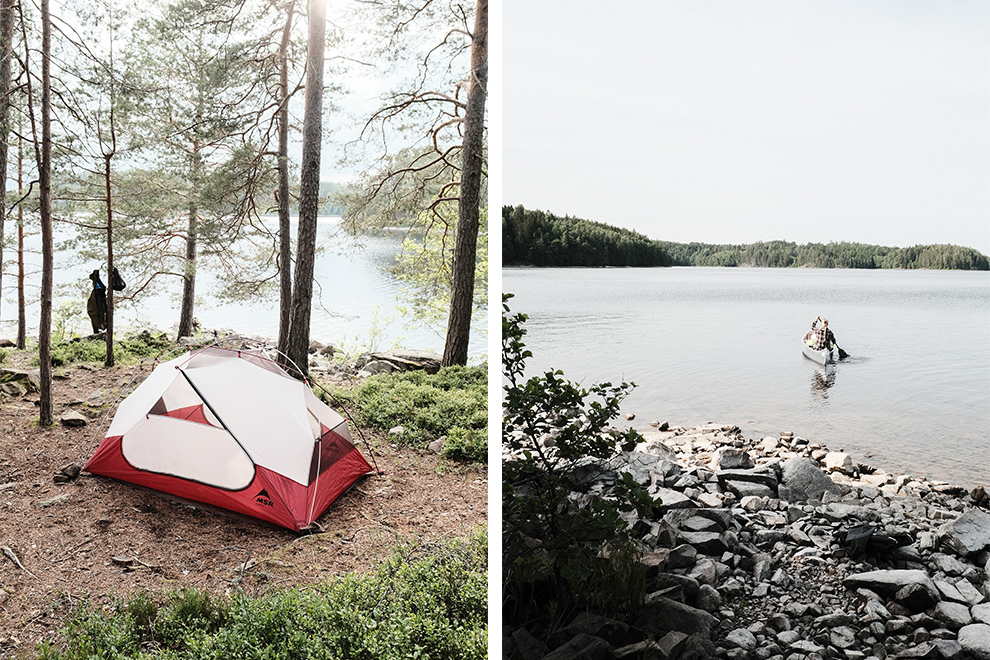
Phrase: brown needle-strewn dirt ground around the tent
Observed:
(77, 547)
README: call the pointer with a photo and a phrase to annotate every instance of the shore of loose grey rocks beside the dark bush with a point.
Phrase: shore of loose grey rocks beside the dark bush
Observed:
(778, 549)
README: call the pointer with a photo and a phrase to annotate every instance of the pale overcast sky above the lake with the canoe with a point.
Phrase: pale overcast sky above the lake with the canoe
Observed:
(741, 121)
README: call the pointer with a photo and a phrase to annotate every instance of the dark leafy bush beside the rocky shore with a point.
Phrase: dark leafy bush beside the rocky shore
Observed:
(565, 547)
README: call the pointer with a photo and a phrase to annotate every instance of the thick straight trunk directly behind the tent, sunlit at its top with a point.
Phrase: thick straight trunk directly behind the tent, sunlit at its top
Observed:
(309, 188)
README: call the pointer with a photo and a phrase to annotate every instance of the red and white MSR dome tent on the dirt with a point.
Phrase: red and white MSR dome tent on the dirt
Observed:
(231, 429)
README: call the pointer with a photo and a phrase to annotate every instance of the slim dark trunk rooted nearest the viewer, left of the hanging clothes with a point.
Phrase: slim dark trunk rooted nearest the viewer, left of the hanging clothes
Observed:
(47, 248)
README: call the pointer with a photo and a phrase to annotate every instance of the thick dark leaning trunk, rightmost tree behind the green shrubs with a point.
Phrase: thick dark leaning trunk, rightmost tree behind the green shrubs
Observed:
(455, 350)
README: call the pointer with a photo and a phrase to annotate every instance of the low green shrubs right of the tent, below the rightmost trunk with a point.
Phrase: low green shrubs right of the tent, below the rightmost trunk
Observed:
(452, 402)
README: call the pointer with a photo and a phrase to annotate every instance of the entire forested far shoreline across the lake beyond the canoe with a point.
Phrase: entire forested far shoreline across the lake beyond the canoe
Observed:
(539, 238)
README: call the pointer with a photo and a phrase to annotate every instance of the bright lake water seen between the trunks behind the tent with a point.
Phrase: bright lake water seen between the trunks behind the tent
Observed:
(354, 299)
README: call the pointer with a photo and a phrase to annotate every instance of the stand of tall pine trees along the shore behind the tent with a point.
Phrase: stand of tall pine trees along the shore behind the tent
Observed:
(157, 137)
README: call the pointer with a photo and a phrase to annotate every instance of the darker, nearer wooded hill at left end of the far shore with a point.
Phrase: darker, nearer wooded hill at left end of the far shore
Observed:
(536, 238)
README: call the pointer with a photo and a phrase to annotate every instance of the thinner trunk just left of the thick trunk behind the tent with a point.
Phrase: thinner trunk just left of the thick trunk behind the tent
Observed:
(284, 239)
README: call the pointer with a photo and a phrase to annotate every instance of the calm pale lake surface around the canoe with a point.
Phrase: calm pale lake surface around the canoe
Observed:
(721, 345)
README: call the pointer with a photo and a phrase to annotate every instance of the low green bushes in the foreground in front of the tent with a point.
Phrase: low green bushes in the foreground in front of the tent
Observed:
(425, 601)
